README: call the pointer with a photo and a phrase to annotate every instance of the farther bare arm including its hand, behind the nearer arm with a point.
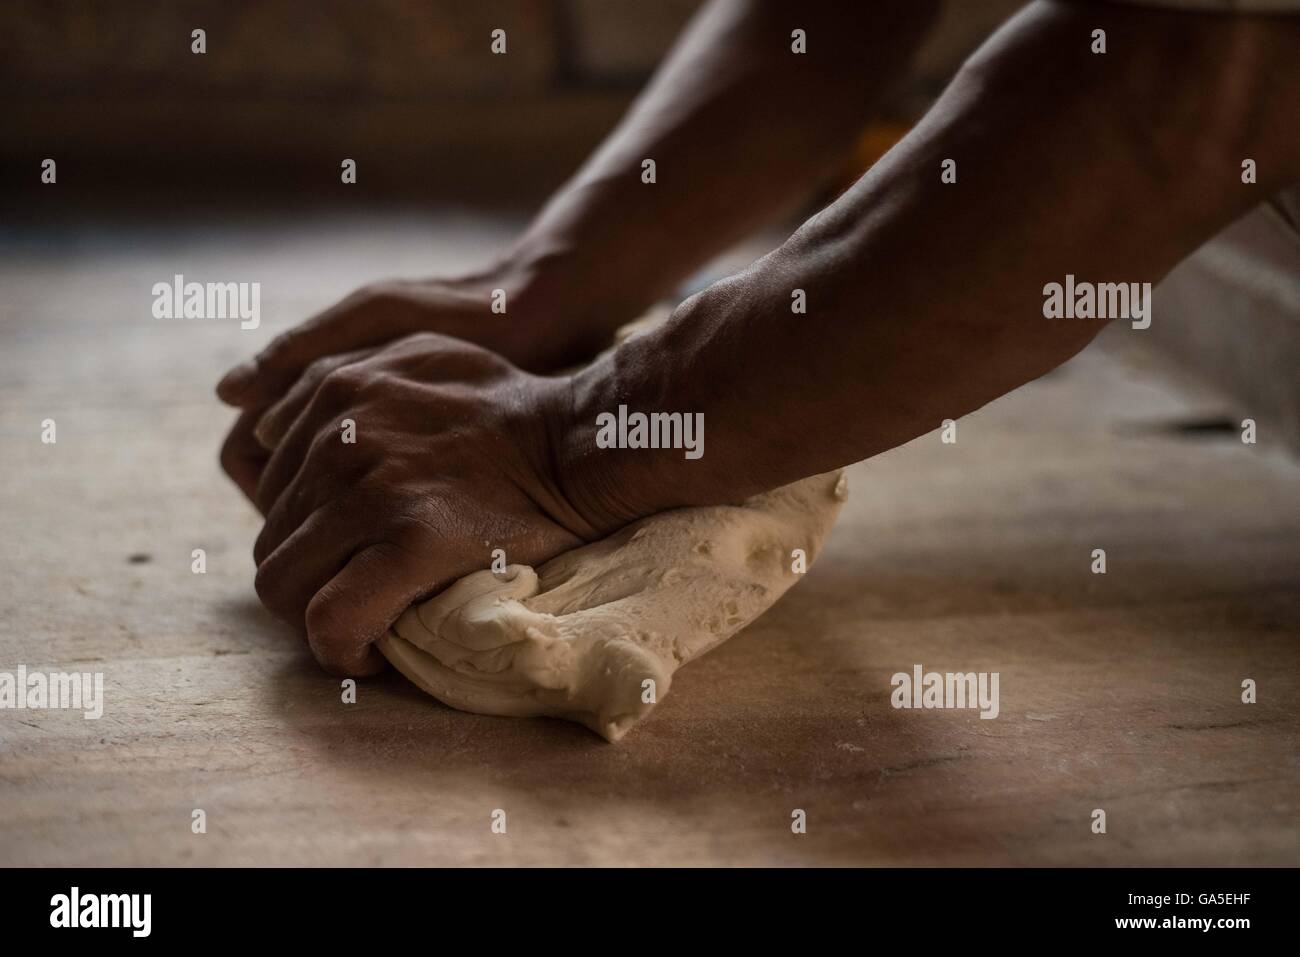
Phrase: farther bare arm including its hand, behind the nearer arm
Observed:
(740, 129)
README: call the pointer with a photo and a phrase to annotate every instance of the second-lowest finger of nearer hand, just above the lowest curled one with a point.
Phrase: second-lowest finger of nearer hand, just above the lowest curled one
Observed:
(307, 558)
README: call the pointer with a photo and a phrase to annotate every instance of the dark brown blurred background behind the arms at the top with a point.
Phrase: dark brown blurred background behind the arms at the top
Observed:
(404, 86)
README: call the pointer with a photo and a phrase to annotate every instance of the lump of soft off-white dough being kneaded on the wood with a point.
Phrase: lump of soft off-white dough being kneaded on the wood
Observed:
(579, 638)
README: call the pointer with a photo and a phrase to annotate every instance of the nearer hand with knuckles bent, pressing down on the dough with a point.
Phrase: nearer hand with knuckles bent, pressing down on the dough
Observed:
(454, 456)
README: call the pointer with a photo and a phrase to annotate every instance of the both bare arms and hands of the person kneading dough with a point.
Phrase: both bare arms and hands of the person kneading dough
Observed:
(925, 300)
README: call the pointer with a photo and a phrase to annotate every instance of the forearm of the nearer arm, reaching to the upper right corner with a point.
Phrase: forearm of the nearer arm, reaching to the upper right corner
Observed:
(925, 301)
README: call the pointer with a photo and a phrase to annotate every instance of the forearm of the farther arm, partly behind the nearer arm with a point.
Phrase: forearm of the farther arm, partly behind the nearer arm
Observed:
(740, 129)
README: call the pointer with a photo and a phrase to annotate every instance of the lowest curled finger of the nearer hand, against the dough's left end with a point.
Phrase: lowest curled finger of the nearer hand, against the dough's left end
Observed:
(359, 604)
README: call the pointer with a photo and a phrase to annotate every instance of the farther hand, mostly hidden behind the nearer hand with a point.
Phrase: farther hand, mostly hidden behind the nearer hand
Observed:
(531, 334)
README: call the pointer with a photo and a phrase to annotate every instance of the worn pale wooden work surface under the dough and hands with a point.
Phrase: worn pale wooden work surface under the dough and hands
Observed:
(1119, 692)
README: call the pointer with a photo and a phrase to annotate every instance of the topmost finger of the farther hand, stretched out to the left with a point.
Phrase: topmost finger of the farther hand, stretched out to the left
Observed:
(365, 319)
